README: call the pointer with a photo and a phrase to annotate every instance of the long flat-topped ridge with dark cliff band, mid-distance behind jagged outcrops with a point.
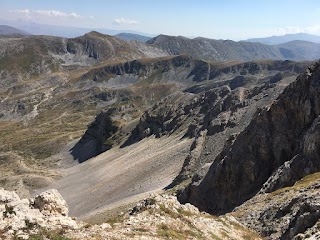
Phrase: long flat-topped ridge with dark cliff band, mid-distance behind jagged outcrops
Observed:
(185, 70)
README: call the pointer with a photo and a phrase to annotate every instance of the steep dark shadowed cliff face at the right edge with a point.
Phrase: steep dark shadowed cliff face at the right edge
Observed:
(277, 148)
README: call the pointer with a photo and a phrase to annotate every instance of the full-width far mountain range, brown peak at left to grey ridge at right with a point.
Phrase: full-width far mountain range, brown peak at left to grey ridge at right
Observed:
(94, 47)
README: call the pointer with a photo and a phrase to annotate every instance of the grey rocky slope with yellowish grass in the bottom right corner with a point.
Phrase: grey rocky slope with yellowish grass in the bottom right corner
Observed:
(288, 213)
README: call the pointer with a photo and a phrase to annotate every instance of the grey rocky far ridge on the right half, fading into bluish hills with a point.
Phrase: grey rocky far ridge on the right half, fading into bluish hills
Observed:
(227, 50)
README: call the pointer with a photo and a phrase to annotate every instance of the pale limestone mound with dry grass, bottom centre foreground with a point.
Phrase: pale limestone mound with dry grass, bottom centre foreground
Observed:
(163, 217)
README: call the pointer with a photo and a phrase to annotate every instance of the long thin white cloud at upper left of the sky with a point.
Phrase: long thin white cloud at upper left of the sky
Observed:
(43, 13)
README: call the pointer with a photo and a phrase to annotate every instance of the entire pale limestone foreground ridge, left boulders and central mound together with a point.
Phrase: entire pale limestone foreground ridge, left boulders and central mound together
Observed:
(158, 217)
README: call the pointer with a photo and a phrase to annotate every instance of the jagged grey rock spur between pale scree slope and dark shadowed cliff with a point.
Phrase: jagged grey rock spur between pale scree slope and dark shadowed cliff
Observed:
(210, 113)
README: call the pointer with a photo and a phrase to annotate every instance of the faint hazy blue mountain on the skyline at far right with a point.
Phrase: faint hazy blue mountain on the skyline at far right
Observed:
(274, 40)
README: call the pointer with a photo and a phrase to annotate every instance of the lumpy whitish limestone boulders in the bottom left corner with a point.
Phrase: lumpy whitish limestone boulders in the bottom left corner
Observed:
(24, 217)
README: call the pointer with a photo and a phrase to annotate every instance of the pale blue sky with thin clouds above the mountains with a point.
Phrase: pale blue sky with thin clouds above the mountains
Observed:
(217, 19)
